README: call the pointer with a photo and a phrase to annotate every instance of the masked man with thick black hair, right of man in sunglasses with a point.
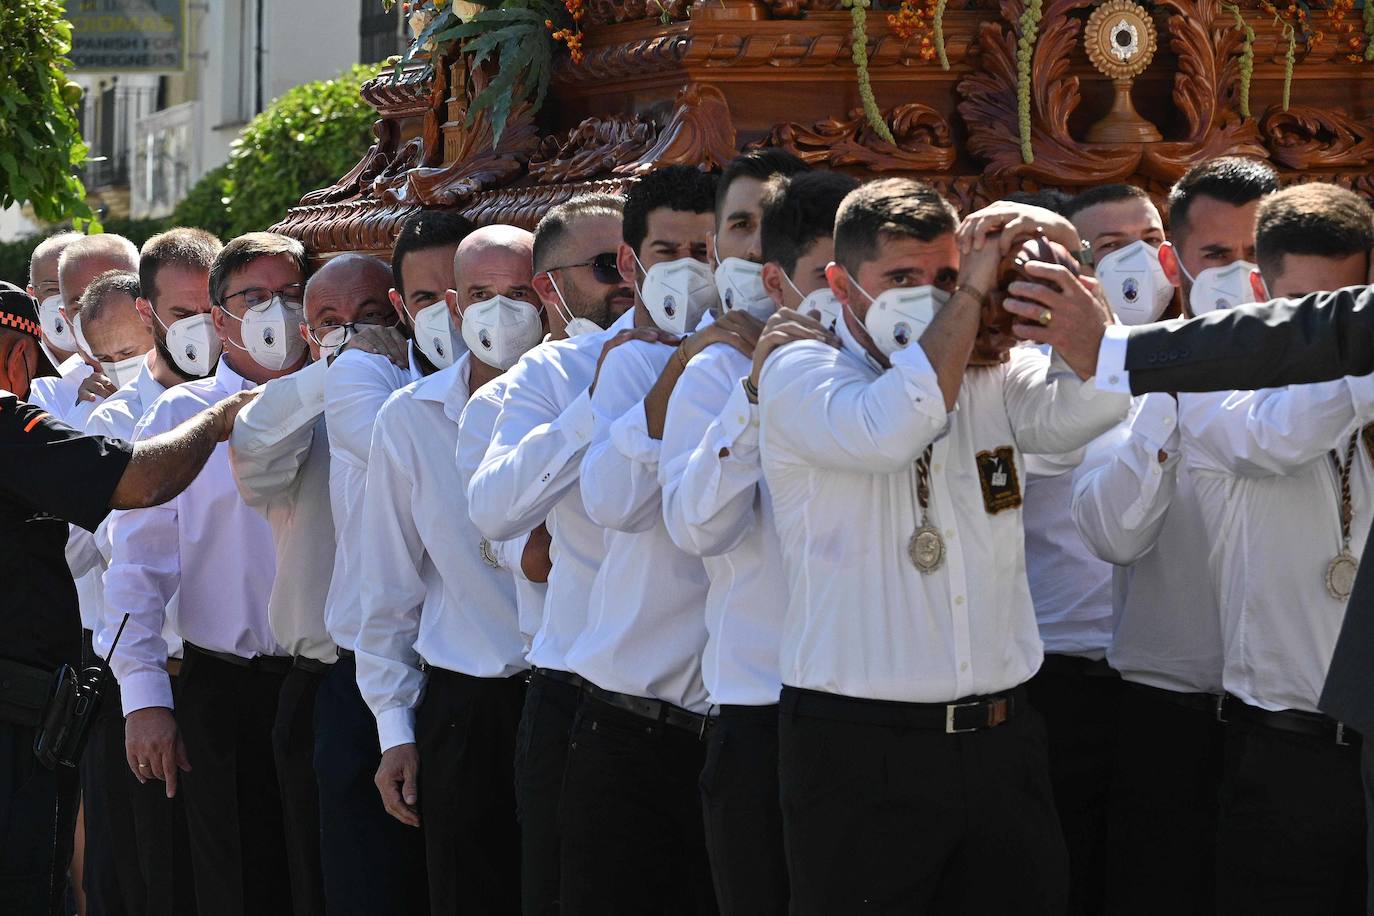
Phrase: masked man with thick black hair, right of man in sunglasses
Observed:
(633, 823)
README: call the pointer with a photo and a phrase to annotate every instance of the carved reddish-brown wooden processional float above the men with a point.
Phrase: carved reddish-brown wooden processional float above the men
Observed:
(979, 100)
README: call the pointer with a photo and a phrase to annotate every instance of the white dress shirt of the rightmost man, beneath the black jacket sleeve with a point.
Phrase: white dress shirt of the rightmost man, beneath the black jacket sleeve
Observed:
(1270, 499)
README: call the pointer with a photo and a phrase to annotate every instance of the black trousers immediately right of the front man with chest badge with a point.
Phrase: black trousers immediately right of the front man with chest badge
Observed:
(1081, 704)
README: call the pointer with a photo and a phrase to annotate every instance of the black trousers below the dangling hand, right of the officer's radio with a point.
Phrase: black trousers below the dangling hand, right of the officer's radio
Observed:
(138, 862)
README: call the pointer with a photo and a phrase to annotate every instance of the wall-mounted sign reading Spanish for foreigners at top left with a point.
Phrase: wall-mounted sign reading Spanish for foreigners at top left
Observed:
(128, 35)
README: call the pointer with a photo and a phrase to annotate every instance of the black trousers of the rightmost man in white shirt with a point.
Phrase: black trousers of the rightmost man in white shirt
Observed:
(1292, 825)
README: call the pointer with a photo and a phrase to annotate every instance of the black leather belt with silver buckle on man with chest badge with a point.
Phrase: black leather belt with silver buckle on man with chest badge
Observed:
(971, 715)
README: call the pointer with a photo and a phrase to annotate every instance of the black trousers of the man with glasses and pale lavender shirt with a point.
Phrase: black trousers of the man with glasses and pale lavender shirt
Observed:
(233, 804)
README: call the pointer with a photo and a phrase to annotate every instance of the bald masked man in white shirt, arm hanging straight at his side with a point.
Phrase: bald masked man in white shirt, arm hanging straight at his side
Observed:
(440, 657)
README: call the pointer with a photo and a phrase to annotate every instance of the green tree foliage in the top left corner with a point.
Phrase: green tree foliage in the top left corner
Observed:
(41, 139)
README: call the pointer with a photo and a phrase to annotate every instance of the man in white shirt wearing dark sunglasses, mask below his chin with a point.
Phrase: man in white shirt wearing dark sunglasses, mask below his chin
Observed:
(530, 477)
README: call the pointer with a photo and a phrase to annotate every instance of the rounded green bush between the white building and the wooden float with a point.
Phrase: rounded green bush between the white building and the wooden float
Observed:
(304, 141)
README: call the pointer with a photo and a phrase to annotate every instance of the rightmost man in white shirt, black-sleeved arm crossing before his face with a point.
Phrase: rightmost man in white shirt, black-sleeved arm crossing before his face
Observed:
(1285, 480)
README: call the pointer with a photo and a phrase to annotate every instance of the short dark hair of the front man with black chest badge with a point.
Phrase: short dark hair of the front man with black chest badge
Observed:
(886, 208)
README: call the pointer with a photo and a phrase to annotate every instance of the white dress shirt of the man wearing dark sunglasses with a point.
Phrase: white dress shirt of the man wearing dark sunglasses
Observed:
(531, 474)
